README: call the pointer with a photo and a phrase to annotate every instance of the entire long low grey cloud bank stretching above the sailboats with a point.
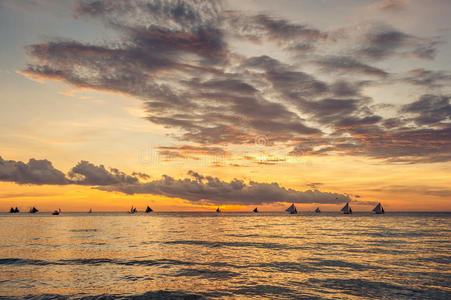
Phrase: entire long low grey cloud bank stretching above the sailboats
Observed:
(200, 188)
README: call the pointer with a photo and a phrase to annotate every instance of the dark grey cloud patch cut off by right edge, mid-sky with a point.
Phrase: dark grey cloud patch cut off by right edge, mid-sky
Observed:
(430, 109)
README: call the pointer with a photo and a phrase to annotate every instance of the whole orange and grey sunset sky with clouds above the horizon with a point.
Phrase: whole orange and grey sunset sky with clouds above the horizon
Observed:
(190, 105)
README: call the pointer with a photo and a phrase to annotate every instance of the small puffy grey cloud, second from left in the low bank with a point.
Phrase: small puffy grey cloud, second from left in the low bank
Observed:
(86, 173)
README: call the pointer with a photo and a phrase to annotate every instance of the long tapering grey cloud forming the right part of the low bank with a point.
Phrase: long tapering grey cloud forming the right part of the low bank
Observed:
(215, 191)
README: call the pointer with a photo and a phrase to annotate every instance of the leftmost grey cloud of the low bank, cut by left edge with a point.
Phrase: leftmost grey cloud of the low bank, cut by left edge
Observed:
(34, 172)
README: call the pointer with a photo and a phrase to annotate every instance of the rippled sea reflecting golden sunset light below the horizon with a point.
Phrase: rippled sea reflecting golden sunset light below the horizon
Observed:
(232, 255)
